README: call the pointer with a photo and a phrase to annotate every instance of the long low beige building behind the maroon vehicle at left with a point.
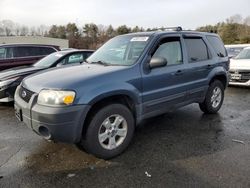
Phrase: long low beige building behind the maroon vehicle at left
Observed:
(63, 43)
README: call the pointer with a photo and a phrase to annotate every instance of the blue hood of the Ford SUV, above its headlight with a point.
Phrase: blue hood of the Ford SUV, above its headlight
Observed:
(69, 78)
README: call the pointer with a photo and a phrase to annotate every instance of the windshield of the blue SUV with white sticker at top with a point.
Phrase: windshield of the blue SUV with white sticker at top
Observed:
(122, 50)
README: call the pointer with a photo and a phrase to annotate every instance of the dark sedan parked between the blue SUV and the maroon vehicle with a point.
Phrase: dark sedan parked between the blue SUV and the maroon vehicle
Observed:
(11, 78)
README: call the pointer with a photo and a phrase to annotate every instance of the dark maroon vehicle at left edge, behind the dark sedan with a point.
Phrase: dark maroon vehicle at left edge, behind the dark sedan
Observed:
(14, 55)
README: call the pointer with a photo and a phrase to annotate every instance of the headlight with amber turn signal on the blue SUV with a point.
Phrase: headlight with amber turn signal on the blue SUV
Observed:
(56, 97)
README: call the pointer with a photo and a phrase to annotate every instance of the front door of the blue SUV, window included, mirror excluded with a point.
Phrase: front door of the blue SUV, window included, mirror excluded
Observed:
(164, 87)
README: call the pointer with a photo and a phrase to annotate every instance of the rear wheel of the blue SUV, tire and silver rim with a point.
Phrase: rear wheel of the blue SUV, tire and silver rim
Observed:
(214, 98)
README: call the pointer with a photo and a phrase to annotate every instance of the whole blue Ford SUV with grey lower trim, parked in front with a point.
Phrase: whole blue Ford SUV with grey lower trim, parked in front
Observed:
(98, 104)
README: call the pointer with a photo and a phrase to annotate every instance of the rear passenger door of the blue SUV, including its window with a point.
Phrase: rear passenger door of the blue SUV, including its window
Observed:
(199, 65)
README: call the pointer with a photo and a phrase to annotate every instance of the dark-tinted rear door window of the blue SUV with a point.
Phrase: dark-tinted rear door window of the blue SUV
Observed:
(197, 49)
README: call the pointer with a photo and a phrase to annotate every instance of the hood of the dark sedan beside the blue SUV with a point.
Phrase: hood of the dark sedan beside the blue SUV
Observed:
(18, 71)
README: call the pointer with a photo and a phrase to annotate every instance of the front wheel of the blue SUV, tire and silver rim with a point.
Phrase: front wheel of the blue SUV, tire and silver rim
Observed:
(114, 122)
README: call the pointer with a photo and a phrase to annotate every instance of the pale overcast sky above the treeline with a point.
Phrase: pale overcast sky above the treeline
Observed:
(146, 13)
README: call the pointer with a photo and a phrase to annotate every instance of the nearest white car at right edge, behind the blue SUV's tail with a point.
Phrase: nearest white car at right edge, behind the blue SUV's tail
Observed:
(240, 68)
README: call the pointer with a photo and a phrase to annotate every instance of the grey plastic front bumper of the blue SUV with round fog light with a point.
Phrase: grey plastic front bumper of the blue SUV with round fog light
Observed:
(63, 124)
